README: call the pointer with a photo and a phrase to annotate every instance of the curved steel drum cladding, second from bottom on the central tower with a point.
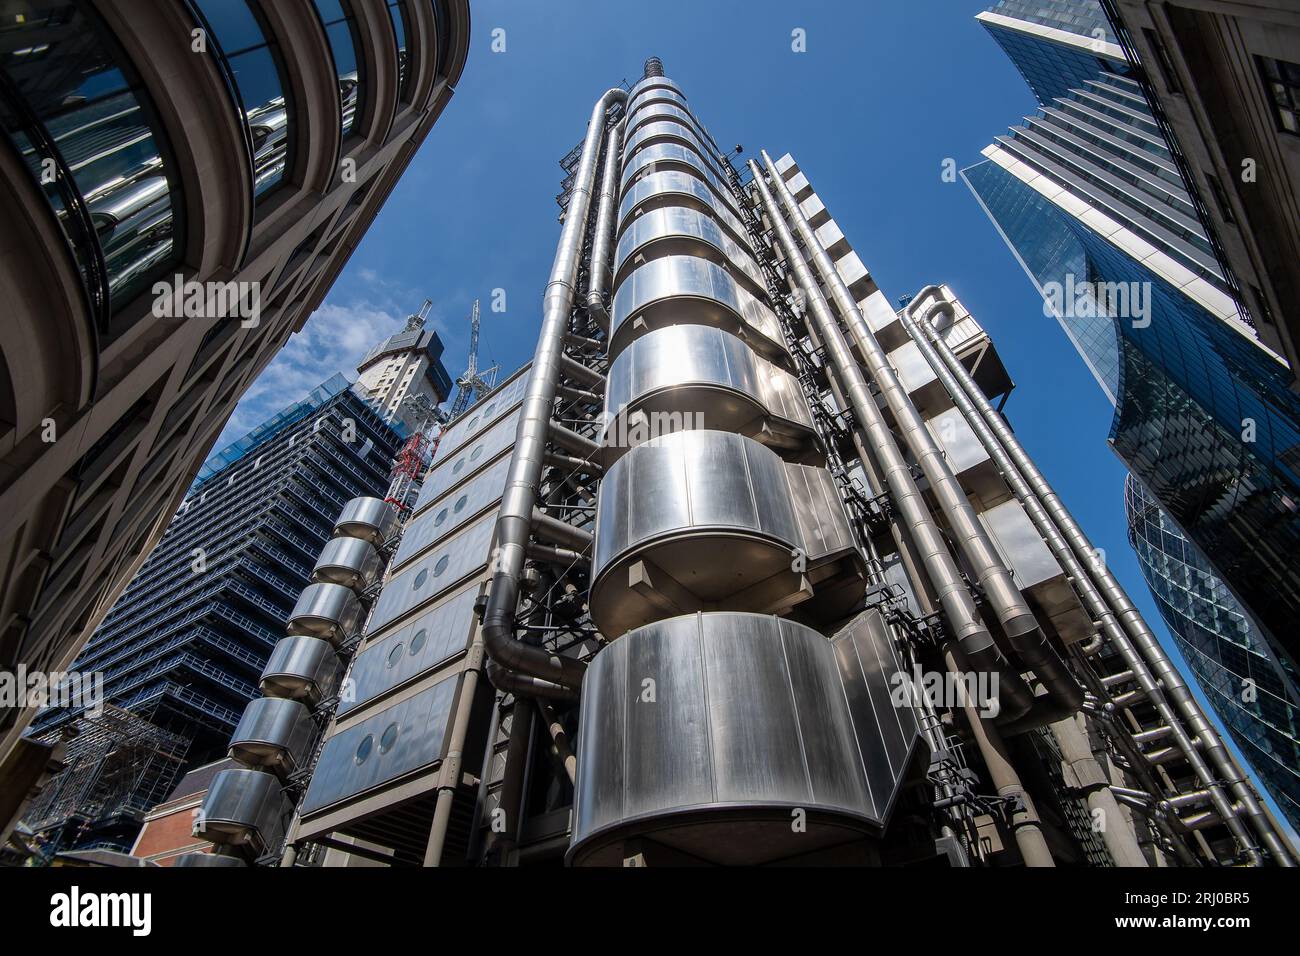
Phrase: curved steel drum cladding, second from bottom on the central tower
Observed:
(688, 482)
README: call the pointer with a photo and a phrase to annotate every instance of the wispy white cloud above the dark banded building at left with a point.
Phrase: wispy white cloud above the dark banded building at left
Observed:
(333, 340)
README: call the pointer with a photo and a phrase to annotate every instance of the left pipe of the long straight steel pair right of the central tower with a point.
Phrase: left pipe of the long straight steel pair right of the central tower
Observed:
(956, 600)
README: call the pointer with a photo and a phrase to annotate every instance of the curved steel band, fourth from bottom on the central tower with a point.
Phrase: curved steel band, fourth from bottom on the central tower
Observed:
(692, 278)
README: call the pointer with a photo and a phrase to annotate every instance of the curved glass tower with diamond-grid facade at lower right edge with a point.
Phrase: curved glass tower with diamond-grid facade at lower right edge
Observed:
(1253, 693)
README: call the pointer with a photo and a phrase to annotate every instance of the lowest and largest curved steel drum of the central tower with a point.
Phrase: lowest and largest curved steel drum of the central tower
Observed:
(746, 712)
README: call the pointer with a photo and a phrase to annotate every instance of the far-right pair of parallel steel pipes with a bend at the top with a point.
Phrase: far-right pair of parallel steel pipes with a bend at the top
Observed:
(1106, 600)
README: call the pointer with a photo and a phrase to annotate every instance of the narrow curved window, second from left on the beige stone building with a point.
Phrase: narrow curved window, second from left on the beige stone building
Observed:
(255, 68)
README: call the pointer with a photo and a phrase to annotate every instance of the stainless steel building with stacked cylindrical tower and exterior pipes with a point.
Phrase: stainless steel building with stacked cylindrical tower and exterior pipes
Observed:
(744, 568)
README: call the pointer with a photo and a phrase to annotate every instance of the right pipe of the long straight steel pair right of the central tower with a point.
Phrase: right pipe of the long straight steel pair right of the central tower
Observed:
(1019, 622)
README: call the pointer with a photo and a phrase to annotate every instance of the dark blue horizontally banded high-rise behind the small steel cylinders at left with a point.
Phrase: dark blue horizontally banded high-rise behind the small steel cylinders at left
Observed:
(187, 643)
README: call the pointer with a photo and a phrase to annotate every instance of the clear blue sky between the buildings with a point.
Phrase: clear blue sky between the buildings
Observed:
(885, 94)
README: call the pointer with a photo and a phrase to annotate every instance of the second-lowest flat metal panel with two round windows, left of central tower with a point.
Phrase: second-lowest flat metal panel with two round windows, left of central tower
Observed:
(413, 650)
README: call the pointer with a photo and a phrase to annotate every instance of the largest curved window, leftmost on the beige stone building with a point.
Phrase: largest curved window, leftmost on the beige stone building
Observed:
(83, 122)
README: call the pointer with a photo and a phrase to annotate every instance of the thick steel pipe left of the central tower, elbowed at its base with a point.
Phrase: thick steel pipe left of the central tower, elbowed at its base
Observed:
(540, 673)
